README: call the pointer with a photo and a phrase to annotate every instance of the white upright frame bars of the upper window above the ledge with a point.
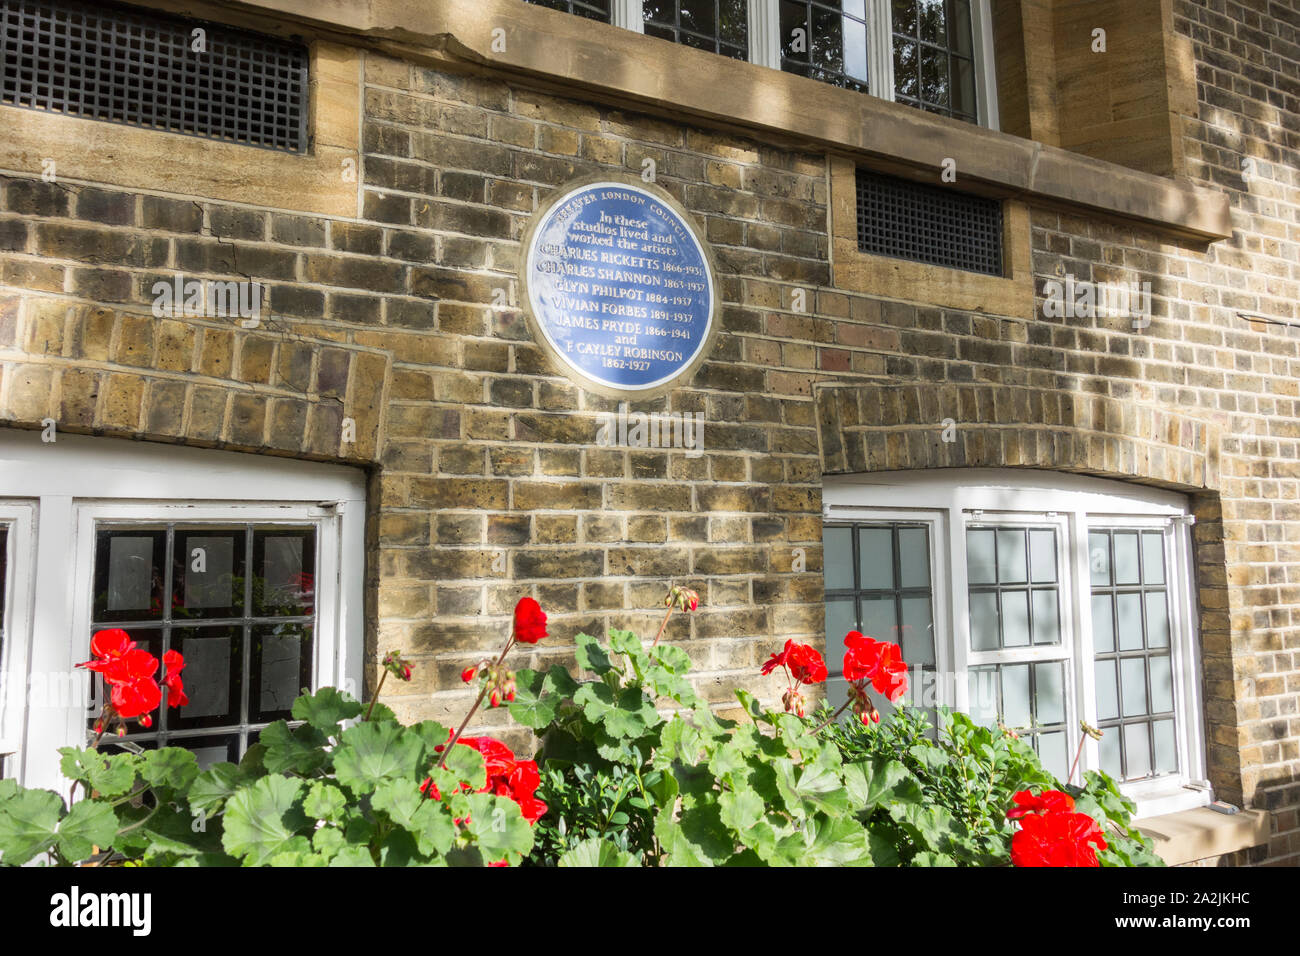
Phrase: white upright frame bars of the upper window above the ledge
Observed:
(765, 46)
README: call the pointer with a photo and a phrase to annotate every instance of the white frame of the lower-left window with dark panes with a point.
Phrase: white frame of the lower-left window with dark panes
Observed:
(76, 482)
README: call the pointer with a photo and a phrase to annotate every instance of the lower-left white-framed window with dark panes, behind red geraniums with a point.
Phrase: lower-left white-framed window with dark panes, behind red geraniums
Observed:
(250, 566)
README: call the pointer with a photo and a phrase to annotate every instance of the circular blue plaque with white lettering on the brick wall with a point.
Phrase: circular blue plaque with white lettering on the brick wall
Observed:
(621, 287)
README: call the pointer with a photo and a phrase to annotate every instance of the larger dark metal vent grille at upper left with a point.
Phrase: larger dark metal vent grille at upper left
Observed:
(122, 64)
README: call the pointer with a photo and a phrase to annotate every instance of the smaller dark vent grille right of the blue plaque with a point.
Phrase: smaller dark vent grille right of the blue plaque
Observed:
(926, 224)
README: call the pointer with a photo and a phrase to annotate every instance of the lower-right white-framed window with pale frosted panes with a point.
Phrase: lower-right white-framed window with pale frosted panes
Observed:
(1051, 602)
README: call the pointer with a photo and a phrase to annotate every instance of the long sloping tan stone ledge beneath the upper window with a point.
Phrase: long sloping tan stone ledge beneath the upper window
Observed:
(573, 57)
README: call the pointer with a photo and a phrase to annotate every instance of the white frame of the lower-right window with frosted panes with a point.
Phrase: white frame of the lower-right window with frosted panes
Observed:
(1077, 504)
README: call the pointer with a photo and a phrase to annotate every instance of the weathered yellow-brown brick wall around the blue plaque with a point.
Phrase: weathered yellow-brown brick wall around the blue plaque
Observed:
(488, 482)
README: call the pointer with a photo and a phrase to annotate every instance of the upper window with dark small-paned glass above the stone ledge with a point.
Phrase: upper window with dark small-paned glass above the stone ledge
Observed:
(934, 55)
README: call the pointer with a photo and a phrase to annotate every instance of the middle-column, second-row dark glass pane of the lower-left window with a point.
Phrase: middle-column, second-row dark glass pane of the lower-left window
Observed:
(214, 677)
